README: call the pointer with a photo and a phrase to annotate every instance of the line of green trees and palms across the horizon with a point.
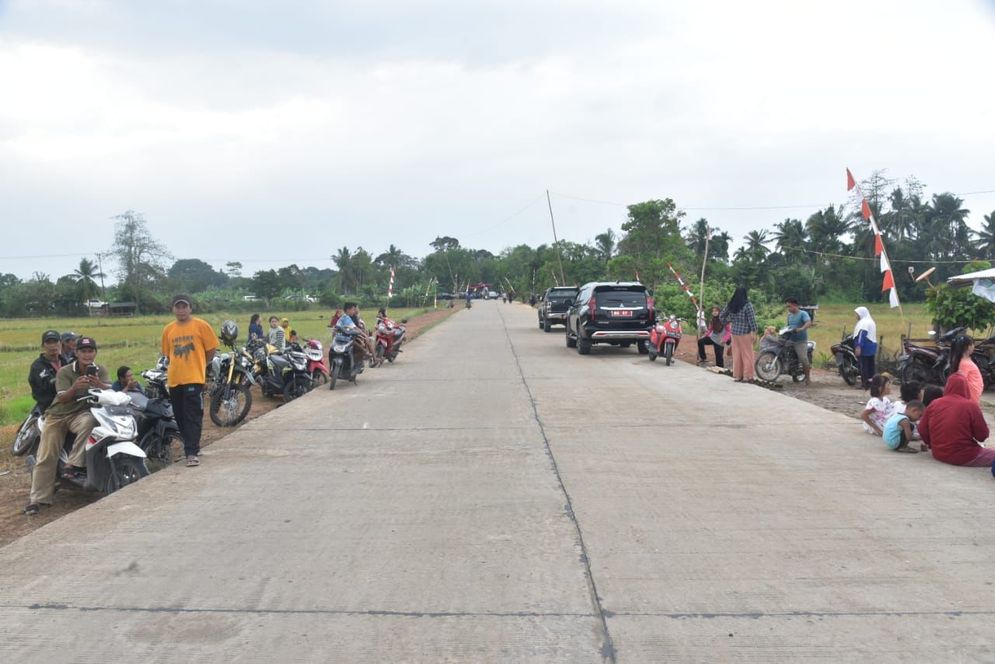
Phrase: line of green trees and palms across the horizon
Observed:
(827, 255)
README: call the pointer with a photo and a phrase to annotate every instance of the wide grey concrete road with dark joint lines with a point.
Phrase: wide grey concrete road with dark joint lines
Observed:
(495, 497)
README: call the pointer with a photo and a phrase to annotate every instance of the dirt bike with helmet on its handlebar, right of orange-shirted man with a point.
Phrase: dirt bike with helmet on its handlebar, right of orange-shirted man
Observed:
(231, 396)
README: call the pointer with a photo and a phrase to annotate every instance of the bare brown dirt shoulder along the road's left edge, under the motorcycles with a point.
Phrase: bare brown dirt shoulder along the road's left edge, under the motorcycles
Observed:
(15, 480)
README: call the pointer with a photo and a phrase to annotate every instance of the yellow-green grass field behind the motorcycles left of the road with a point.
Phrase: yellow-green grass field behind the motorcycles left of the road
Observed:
(122, 341)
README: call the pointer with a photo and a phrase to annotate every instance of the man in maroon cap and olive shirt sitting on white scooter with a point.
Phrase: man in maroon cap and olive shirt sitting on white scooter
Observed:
(66, 414)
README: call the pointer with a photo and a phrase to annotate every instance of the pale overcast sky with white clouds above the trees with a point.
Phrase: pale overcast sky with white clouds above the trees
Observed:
(274, 132)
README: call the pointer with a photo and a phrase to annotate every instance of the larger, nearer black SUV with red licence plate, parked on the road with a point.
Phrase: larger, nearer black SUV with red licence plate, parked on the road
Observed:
(616, 313)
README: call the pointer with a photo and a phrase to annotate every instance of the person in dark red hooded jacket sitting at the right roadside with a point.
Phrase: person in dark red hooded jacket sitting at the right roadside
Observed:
(953, 425)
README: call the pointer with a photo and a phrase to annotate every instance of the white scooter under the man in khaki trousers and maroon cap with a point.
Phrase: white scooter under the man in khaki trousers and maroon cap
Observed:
(113, 460)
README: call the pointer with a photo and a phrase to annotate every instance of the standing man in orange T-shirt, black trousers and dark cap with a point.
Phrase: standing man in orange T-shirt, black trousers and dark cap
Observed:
(189, 343)
